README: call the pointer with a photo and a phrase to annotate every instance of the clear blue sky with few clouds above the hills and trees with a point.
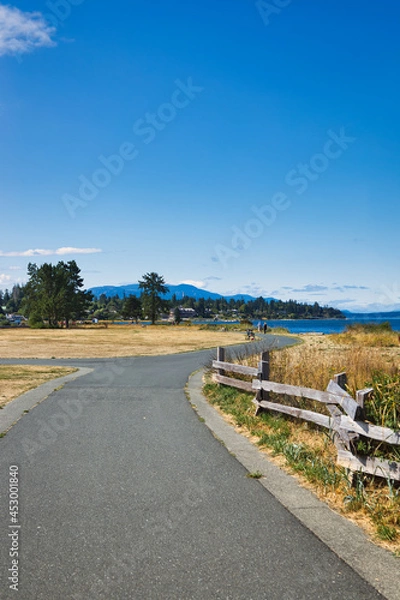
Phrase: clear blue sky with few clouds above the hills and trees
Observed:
(243, 146)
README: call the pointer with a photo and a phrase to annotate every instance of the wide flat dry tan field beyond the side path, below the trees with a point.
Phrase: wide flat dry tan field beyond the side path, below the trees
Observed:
(115, 341)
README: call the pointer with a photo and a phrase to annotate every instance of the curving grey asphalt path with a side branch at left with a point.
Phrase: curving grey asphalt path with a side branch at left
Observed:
(125, 494)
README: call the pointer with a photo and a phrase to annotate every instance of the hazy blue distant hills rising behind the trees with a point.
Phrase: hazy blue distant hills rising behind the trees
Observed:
(181, 291)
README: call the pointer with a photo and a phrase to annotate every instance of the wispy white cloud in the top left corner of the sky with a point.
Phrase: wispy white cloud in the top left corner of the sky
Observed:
(22, 32)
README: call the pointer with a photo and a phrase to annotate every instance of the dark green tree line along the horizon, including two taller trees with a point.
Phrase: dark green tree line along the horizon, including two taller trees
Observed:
(54, 296)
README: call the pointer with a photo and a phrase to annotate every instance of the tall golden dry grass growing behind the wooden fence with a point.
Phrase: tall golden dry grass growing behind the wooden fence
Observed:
(314, 362)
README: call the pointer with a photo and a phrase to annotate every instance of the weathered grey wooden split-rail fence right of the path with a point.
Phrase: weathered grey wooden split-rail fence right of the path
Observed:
(346, 414)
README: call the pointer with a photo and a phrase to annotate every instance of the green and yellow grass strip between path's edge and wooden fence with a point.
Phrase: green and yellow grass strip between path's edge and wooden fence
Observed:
(309, 454)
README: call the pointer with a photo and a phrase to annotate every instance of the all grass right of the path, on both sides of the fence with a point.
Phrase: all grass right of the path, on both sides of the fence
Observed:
(306, 451)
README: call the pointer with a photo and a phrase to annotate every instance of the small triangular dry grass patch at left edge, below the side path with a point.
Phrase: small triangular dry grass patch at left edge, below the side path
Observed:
(18, 379)
